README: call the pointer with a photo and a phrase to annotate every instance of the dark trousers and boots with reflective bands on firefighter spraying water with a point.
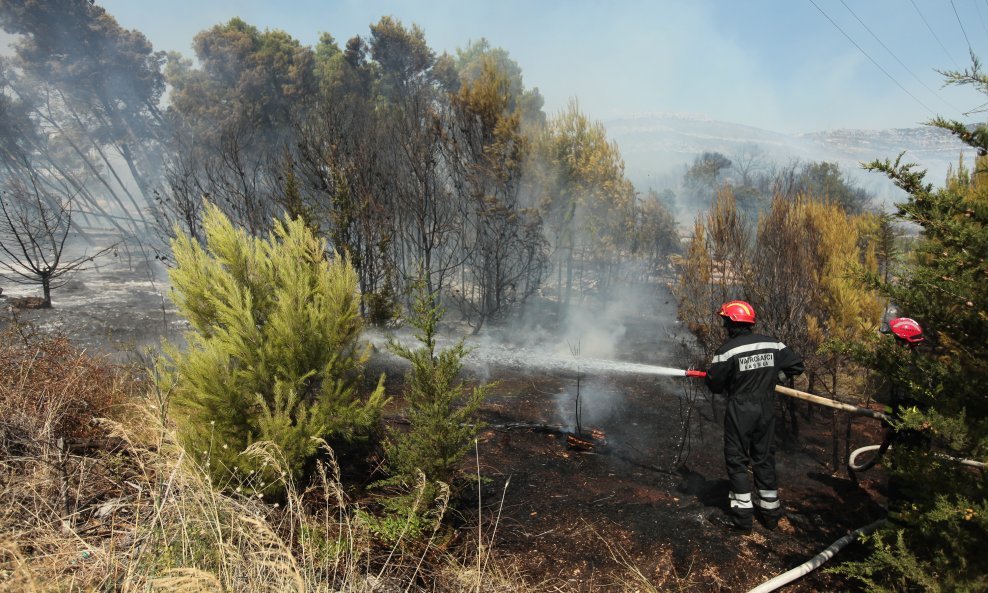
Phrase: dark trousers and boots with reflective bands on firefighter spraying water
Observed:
(749, 431)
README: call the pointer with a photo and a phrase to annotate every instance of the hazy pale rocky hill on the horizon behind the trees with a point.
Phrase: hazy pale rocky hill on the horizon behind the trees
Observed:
(657, 148)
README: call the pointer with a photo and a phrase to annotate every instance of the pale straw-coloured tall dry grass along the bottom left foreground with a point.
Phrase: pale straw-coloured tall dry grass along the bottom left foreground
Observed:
(170, 529)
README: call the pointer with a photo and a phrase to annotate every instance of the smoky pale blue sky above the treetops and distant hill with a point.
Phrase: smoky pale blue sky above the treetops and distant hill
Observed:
(781, 65)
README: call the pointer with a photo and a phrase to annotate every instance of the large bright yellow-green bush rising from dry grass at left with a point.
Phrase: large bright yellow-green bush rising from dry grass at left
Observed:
(273, 351)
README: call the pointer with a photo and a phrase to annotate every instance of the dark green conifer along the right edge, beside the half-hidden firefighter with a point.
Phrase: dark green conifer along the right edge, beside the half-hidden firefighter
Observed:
(937, 542)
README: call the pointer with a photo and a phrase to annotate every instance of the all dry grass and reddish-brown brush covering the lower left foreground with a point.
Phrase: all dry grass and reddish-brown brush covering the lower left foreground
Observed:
(95, 495)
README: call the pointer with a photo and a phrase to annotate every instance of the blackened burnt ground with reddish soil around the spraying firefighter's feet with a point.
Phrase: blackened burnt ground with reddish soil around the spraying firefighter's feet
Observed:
(635, 492)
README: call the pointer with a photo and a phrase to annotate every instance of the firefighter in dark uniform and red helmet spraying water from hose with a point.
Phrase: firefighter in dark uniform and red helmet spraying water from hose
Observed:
(747, 368)
